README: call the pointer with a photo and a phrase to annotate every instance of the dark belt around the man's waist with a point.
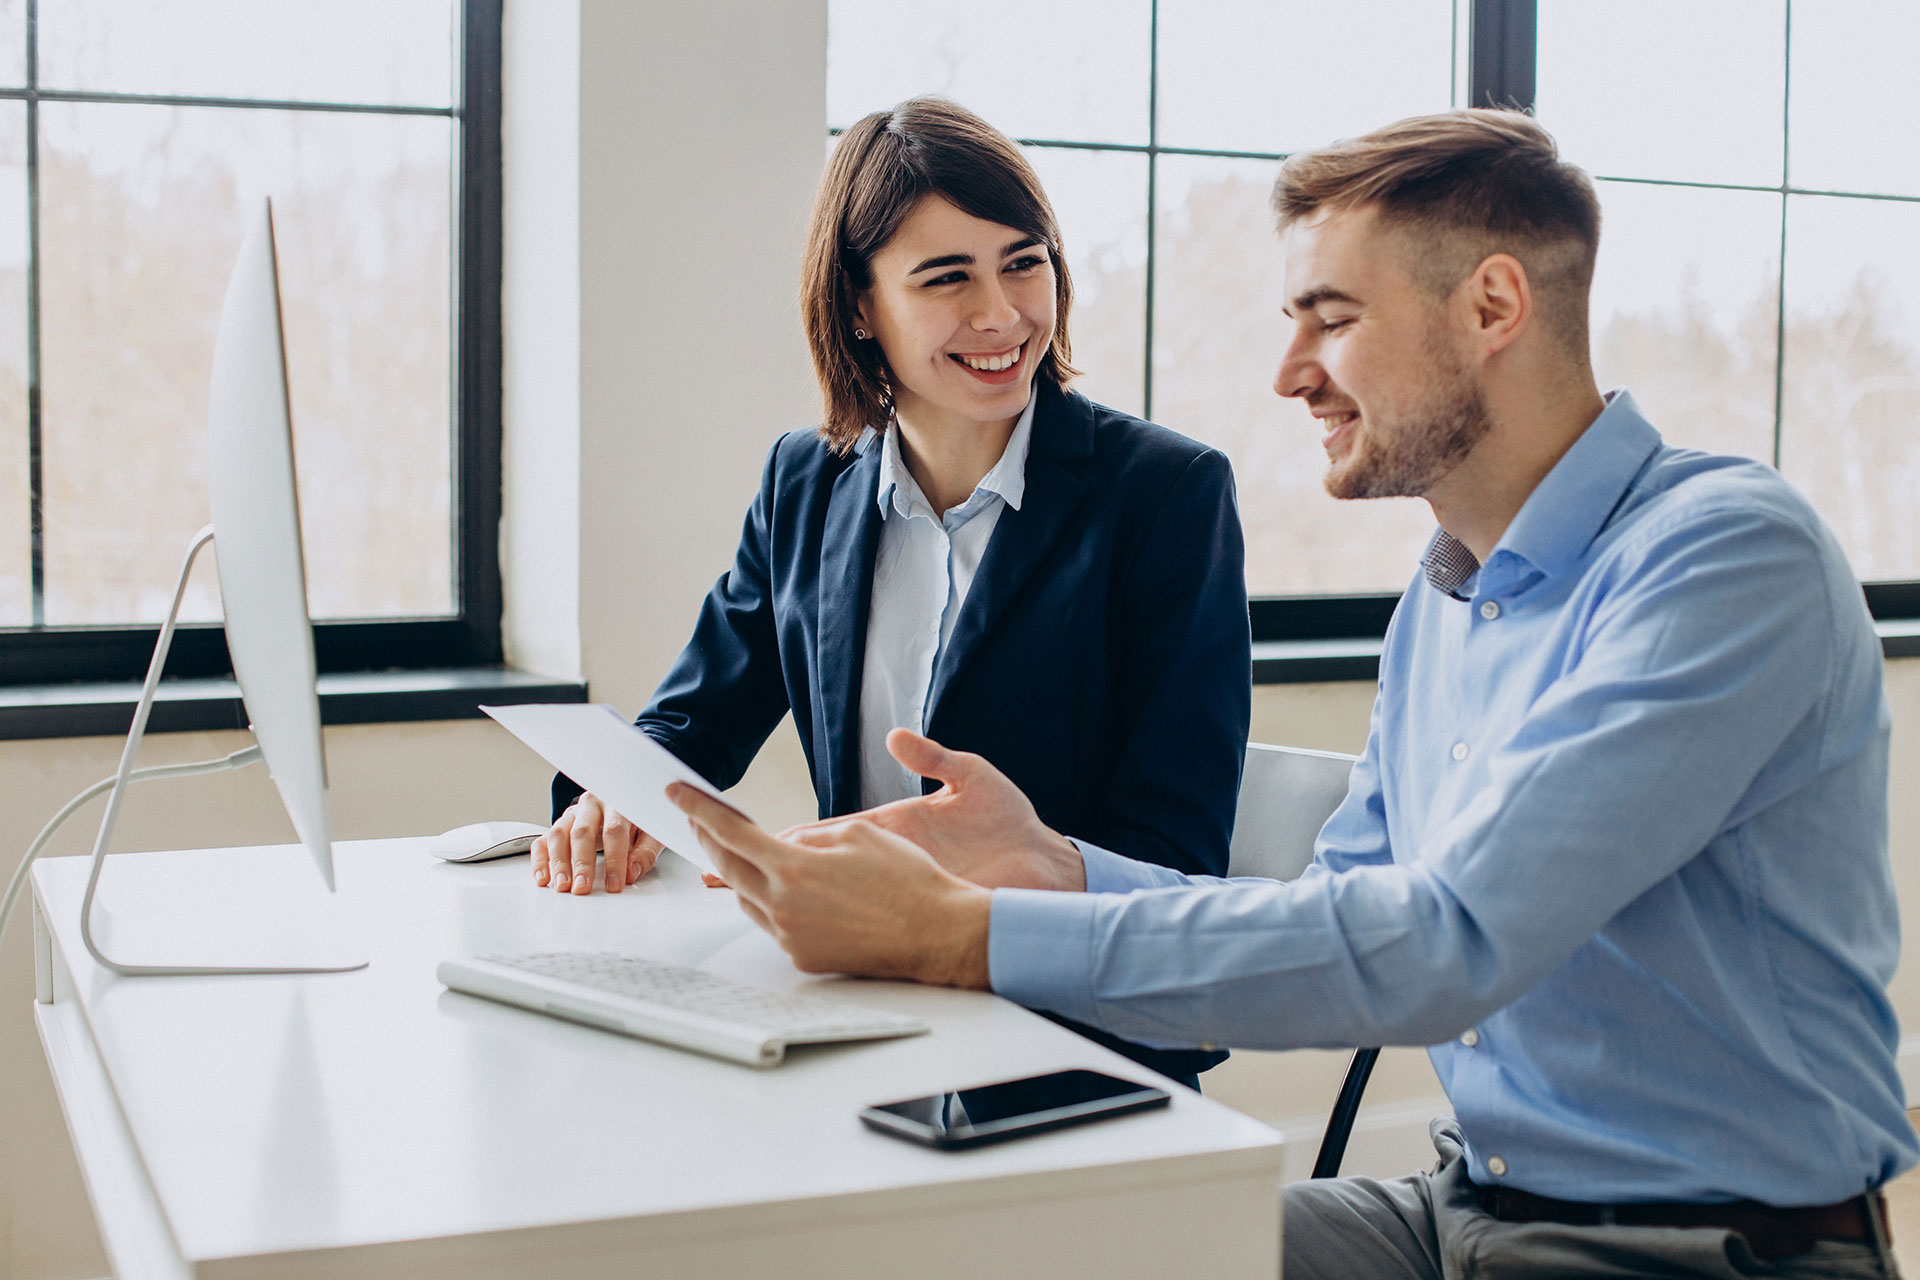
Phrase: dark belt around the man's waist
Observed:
(1771, 1233)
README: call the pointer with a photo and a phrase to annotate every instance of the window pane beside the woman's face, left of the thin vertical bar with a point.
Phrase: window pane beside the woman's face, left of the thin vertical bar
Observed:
(1101, 201)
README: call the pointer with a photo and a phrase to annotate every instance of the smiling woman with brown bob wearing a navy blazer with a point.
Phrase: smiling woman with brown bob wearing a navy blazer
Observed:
(963, 548)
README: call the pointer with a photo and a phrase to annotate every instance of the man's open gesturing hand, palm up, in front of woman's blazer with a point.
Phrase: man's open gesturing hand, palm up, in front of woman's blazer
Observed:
(980, 826)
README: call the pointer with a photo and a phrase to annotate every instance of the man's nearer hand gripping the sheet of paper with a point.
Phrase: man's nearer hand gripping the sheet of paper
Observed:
(850, 897)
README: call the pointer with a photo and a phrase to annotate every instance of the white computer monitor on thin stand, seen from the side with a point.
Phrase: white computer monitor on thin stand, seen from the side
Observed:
(270, 636)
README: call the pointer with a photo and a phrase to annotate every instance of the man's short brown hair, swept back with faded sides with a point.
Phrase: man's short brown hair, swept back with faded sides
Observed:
(1466, 185)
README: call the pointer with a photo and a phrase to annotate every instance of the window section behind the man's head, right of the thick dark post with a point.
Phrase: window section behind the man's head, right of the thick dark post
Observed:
(1758, 283)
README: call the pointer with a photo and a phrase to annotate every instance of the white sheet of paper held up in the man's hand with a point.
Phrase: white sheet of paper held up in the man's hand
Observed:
(596, 747)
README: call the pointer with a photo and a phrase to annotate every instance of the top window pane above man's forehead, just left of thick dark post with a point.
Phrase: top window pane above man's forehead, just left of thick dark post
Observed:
(1280, 76)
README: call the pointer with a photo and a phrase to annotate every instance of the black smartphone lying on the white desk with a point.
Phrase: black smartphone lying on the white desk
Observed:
(971, 1118)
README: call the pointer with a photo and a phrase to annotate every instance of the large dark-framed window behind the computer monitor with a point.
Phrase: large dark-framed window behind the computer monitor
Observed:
(133, 135)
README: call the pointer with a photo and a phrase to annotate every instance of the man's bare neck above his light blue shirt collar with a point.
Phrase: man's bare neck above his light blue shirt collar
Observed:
(1527, 439)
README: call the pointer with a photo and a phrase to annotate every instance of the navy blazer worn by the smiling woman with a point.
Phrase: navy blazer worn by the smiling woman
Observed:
(1101, 657)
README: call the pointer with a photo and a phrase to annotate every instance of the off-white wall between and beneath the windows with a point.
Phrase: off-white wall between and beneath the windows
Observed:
(660, 166)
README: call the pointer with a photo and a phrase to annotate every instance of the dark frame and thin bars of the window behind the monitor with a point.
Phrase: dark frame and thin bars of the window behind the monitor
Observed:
(471, 636)
